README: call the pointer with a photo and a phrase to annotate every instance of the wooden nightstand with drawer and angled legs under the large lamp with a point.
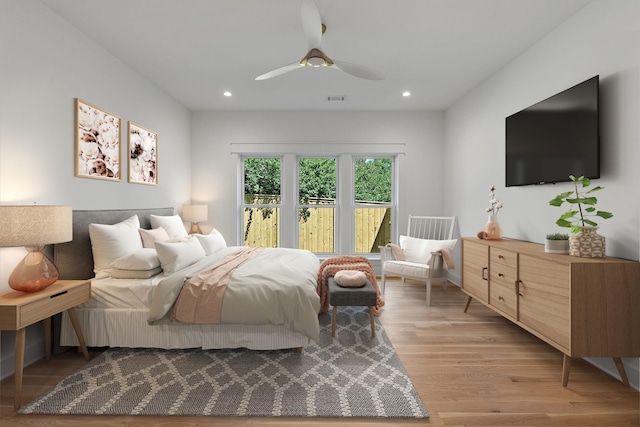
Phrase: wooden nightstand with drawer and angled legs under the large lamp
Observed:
(19, 310)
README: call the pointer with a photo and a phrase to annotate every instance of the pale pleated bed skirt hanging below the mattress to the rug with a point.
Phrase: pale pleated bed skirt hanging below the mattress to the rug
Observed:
(129, 328)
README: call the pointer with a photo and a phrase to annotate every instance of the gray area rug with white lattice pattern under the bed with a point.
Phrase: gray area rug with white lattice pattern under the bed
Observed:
(352, 376)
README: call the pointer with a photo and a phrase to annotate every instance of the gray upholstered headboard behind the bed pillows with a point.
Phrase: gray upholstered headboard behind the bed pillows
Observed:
(75, 259)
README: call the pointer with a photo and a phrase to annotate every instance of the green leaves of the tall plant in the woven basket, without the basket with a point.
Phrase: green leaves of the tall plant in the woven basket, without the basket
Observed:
(585, 203)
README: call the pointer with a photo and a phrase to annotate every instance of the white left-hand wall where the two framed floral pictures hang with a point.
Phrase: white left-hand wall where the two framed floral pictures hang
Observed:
(44, 64)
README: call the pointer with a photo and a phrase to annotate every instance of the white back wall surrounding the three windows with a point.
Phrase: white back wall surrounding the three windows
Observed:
(216, 135)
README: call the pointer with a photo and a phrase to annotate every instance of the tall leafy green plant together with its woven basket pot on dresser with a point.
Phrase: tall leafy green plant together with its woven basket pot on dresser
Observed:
(584, 241)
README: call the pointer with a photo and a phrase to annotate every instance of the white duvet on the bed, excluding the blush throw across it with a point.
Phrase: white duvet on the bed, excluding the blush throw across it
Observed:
(277, 287)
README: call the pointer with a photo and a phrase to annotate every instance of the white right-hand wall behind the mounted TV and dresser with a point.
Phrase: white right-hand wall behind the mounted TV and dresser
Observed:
(603, 39)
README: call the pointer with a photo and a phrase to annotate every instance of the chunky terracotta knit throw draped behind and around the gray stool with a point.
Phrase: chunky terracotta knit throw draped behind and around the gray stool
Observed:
(329, 267)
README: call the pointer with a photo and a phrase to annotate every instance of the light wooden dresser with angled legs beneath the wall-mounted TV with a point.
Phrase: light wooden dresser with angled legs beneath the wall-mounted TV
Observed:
(584, 307)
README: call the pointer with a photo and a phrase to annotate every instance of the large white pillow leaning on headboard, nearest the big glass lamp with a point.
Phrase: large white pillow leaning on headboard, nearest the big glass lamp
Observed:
(110, 242)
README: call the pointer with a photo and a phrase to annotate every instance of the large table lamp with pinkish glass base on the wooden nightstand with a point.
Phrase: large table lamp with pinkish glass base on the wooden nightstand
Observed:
(34, 227)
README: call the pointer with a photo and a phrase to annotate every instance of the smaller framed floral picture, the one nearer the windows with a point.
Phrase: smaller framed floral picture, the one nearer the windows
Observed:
(143, 155)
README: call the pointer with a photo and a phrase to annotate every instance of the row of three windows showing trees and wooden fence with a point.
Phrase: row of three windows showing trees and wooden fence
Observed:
(340, 204)
